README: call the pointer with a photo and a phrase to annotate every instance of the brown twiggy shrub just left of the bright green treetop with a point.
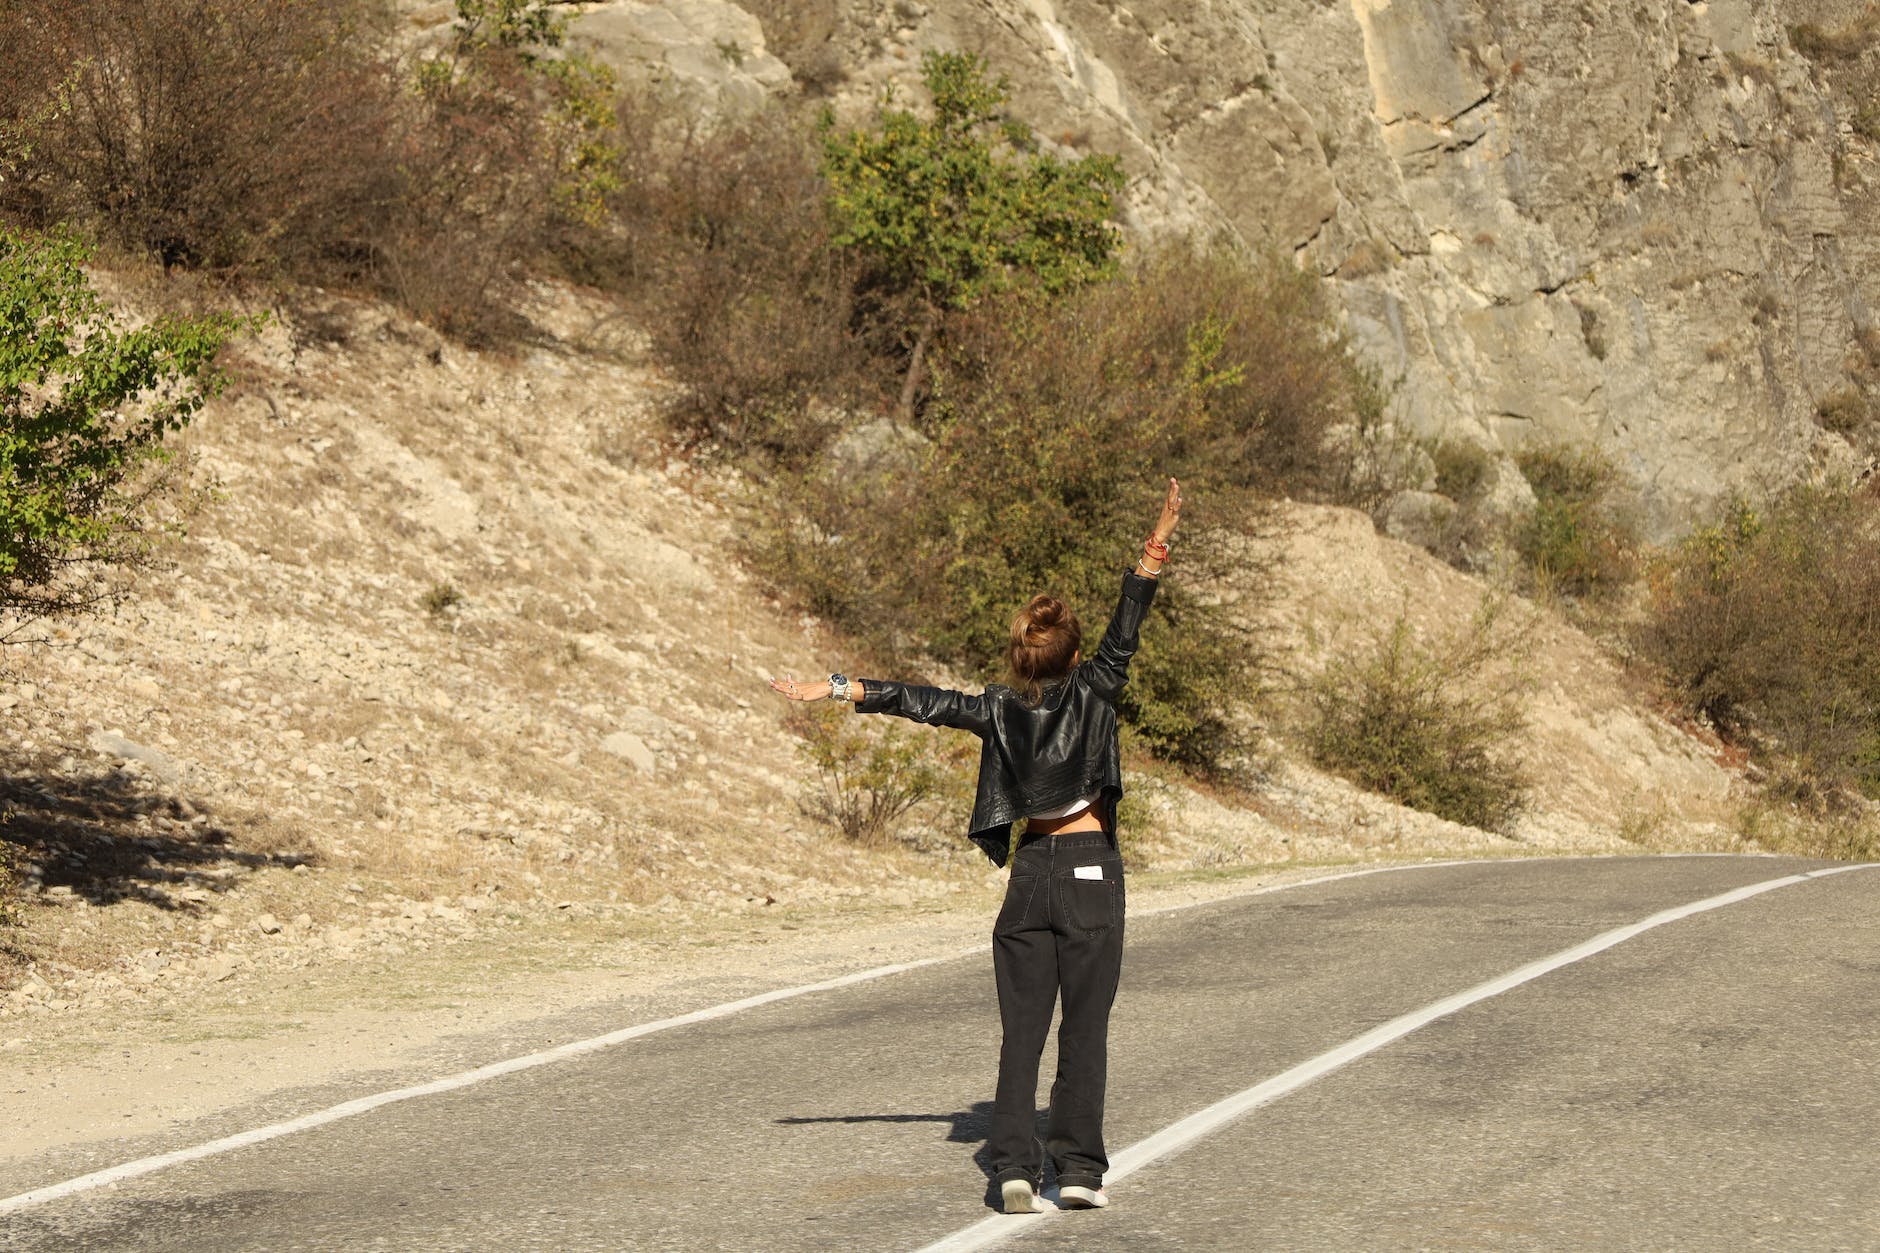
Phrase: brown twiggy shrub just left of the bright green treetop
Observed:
(751, 308)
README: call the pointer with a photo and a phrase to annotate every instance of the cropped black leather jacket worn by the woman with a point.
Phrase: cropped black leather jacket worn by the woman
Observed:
(1037, 757)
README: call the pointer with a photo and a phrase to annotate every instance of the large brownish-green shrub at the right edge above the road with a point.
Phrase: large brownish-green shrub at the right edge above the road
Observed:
(1768, 626)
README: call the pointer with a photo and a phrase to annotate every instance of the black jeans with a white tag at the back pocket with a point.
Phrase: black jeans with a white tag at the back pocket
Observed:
(1057, 934)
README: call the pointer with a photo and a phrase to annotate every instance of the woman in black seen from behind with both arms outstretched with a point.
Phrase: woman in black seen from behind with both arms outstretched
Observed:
(1050, 757)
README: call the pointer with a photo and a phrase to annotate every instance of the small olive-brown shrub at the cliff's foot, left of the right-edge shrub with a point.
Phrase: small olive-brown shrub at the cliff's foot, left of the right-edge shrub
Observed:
(1580, 539)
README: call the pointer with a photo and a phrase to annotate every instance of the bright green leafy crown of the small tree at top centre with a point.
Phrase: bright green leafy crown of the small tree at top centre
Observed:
(963, 204)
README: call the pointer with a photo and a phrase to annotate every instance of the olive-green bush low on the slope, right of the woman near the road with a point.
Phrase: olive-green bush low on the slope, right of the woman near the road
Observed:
(1430, 725)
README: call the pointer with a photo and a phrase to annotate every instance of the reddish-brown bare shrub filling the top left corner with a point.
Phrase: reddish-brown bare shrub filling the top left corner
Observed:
(221, 135)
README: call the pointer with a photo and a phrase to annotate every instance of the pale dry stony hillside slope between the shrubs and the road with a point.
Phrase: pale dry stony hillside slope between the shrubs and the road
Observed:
(454, 648)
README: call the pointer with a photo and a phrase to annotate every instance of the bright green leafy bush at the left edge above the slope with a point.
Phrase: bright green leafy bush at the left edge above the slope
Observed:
(86, 405)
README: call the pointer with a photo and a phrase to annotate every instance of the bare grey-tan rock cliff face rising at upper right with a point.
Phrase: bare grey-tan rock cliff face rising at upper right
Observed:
(1648, 225)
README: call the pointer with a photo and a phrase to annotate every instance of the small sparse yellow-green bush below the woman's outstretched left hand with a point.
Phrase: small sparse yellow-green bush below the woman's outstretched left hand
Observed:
(871, 774)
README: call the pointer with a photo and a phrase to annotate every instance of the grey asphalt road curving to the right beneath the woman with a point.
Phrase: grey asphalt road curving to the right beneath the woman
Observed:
(1708, 1085)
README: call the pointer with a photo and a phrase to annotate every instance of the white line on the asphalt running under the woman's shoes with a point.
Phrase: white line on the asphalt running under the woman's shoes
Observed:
(1183, 1134)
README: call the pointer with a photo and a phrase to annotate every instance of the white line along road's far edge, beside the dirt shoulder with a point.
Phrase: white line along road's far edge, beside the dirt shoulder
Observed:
(362, 1105)
